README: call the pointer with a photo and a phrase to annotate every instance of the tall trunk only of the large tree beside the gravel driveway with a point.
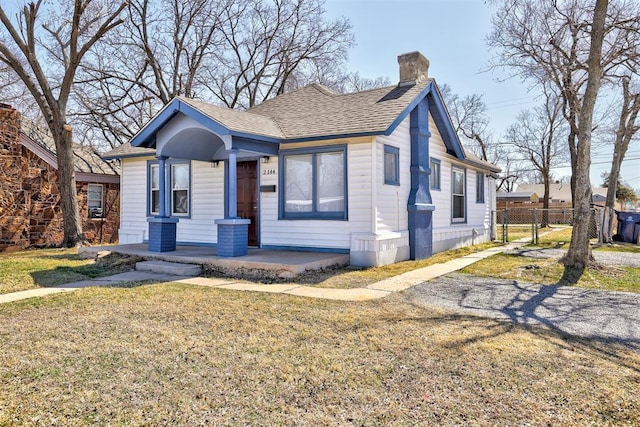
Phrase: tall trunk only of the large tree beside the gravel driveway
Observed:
(579, 255)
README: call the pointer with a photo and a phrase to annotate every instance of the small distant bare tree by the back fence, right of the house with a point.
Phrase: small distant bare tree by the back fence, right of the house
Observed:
(538, 135)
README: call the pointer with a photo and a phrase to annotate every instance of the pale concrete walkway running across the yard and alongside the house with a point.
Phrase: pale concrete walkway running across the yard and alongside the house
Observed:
(374, 291)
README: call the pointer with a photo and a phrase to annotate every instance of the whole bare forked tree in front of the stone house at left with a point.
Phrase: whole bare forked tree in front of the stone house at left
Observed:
(45, 53)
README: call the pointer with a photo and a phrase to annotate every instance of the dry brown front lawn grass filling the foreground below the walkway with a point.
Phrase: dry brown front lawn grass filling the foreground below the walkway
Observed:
(169, 354)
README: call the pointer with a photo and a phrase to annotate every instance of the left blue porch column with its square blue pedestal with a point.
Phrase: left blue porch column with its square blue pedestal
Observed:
(162, 228)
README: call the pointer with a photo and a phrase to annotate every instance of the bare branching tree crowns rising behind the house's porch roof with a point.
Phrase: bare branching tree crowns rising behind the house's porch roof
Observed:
(229, 52)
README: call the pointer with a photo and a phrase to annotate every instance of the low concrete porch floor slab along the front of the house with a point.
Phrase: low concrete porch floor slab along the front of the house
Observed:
(261, 262)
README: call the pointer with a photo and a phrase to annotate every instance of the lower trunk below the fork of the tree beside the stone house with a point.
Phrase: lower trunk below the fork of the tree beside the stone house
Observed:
(73, 235)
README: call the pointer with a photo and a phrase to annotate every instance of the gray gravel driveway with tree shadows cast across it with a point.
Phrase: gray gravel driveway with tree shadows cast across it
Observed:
(601, 315)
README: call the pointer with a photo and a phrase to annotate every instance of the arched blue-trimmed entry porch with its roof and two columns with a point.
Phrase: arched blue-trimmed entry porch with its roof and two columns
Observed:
(188, 131)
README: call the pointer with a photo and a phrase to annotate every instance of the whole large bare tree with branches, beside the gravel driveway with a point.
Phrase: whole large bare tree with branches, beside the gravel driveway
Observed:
(572, 45)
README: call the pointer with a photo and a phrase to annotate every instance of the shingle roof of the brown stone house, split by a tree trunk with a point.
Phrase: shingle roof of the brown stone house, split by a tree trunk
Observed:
(86, 159)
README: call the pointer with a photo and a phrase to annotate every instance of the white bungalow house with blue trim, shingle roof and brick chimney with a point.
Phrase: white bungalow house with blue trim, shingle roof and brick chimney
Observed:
(378, 174)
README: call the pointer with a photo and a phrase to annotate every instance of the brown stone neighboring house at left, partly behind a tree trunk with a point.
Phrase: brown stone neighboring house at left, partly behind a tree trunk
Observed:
(30, 212)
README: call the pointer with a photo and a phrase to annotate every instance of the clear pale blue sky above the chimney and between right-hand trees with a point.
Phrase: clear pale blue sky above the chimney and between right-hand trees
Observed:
(452, 34)
